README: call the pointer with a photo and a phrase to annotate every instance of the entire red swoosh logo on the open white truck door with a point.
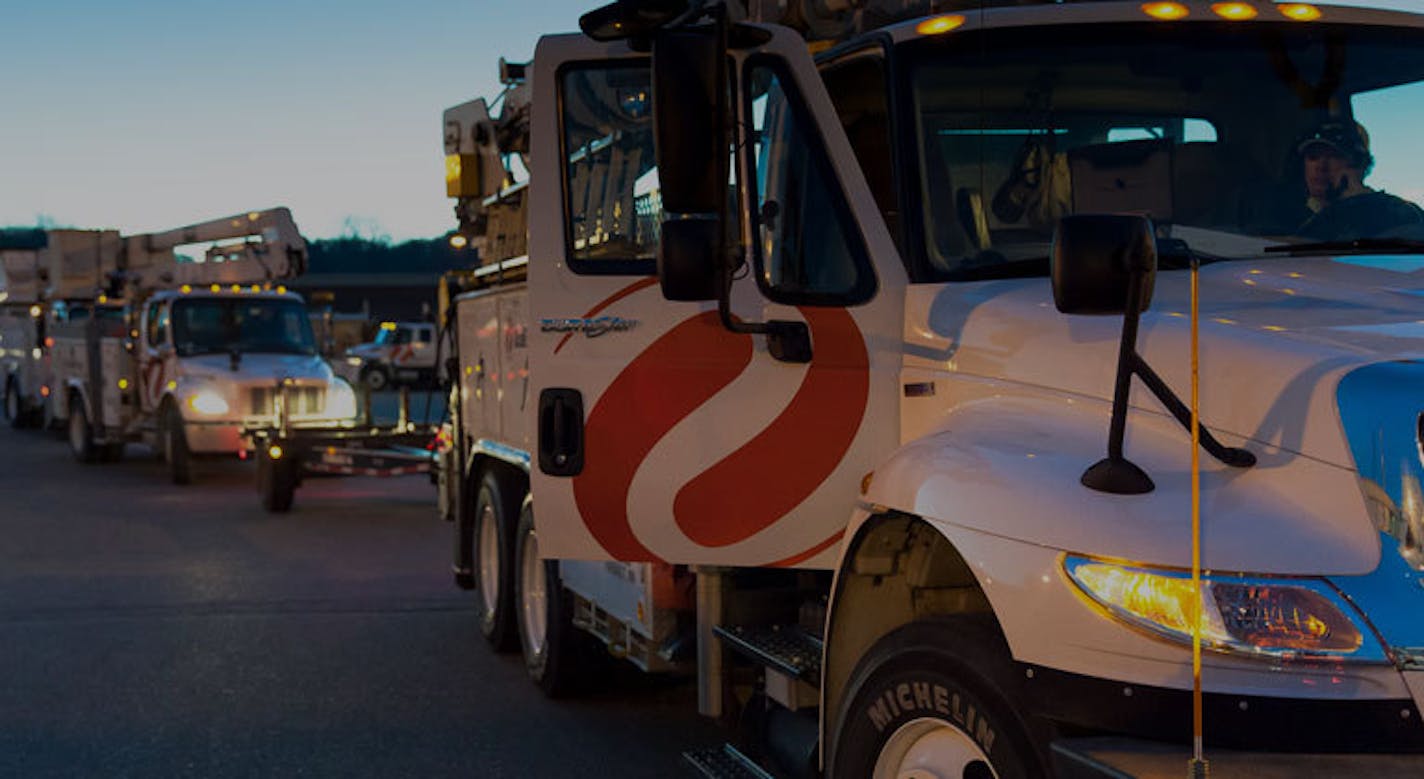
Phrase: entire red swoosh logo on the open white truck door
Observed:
(782, 466)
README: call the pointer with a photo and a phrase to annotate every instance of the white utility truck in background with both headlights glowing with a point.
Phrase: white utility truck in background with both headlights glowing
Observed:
(206, 341)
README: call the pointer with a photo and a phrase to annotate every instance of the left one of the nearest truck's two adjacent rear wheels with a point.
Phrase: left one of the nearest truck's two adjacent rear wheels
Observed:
(495, 516)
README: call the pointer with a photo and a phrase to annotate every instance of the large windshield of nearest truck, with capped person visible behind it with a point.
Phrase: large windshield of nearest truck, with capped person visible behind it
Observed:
(1284, 133)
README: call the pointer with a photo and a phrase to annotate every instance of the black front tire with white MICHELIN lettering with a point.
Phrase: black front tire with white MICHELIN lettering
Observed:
(935, 697)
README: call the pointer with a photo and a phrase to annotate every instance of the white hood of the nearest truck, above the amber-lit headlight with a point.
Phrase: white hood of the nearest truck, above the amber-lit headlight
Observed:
(1278, 337)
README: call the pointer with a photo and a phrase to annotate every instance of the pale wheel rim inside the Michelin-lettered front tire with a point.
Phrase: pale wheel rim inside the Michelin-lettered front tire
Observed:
(932, 748)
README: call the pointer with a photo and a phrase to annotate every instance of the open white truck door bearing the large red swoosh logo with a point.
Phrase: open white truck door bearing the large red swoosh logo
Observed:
(661, 436)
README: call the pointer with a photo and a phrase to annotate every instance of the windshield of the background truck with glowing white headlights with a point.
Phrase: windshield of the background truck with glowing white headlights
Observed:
(203, 325)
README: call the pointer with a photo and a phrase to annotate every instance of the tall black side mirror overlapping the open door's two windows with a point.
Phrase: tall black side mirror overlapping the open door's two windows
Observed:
(690, 142)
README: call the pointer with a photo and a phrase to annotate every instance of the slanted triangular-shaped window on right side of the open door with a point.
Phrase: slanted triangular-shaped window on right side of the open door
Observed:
(808, 249)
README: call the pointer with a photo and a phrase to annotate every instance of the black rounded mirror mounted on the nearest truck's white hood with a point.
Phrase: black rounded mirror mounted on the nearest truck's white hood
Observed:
(1094, 260)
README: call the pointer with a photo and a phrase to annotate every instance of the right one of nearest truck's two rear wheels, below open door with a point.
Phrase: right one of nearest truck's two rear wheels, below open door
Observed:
(555, 652)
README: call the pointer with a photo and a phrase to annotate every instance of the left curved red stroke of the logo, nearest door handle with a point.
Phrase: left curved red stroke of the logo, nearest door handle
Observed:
(667, 382)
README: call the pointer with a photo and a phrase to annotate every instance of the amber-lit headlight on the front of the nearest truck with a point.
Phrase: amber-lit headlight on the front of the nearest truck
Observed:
(1264, 617)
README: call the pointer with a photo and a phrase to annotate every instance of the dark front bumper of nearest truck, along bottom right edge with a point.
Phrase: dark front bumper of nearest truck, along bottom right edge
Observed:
(1123, 758)
